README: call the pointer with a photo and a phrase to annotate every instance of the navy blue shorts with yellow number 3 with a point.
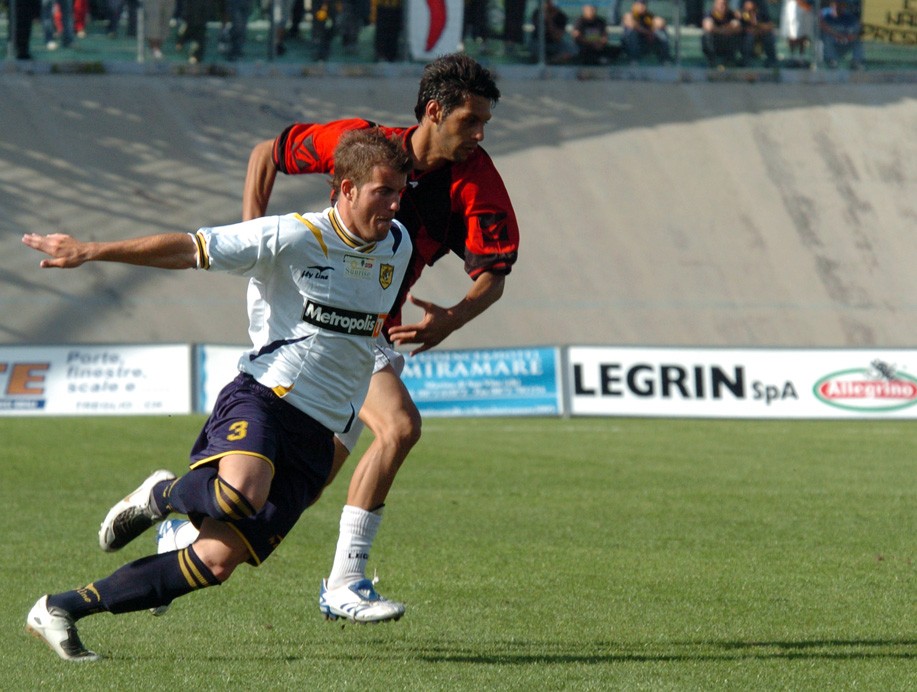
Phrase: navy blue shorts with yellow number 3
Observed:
(248, 418)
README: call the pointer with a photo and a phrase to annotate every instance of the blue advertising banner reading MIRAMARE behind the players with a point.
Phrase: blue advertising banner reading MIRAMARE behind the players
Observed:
(498, 382)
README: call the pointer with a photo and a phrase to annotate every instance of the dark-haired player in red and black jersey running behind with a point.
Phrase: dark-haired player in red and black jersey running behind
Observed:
(455, 202)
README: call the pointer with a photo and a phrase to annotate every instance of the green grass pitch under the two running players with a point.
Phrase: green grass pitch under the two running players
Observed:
(533, 554)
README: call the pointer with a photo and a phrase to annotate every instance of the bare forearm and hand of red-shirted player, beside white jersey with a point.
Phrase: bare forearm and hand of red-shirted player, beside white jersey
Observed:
(437, 322)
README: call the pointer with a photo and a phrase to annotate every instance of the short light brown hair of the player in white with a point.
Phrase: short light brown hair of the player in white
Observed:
(359, 151)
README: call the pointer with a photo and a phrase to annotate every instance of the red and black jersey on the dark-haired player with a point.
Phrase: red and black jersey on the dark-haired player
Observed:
(460, 207)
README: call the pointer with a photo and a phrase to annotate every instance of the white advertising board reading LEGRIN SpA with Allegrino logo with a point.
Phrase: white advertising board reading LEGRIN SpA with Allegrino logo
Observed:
(727, 383)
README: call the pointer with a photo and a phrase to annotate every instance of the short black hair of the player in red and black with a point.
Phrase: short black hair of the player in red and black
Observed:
(451, 80)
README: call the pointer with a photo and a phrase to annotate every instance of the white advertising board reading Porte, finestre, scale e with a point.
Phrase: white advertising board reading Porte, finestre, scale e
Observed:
(95, 380)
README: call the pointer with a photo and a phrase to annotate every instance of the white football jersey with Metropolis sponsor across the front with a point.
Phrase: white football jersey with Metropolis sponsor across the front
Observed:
(317, 299)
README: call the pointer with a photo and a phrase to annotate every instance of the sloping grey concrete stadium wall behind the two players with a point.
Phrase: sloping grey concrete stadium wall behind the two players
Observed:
(659, 214)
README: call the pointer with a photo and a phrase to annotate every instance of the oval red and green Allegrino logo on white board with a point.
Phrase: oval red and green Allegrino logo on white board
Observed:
(880, 387)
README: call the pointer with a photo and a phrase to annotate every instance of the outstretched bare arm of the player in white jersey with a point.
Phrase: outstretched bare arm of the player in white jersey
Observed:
(165, 251)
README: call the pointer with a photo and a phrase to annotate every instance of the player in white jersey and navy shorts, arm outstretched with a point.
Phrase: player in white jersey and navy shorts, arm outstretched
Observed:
(320, 288)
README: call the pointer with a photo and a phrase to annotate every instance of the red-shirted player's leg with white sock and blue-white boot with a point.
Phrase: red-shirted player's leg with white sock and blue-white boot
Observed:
(391, 415)
